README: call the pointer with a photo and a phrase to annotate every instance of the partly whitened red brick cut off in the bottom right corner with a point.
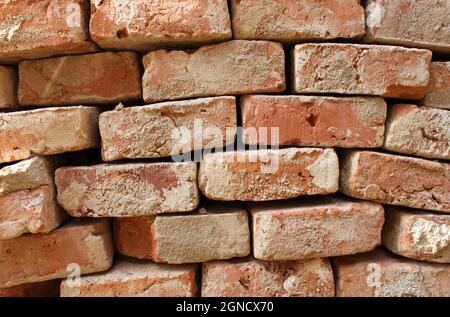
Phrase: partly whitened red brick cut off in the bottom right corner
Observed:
(382, 274)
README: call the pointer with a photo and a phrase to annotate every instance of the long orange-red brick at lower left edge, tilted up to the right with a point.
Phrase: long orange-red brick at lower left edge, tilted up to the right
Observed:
(35, 258)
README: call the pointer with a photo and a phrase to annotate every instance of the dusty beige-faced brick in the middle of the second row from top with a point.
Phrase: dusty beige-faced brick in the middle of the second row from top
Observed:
(223, 69)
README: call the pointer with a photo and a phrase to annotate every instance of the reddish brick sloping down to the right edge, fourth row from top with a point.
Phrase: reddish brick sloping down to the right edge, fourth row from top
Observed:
(396, 180)
